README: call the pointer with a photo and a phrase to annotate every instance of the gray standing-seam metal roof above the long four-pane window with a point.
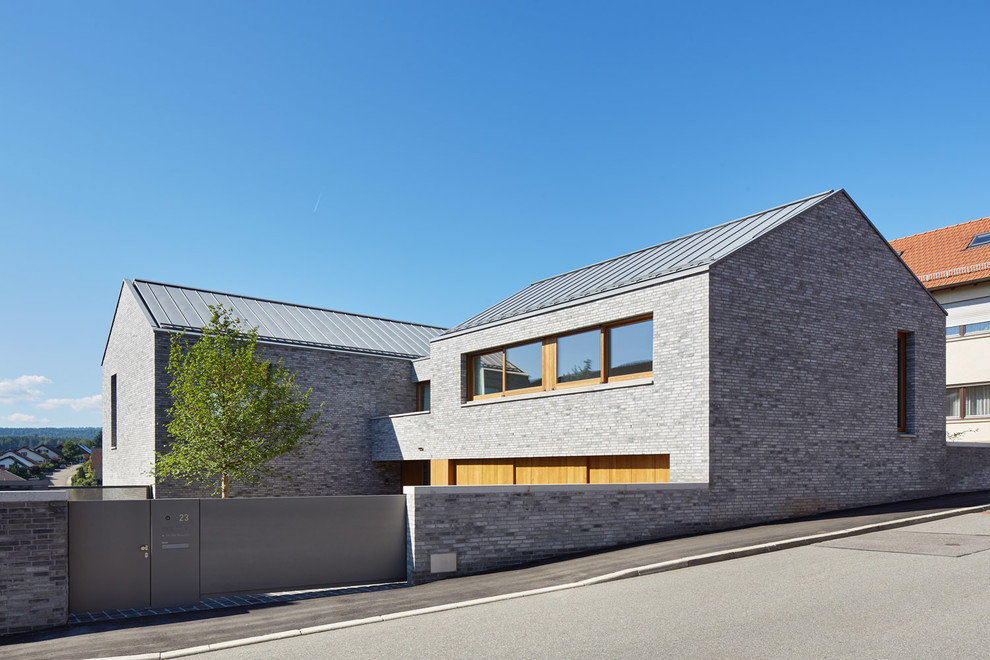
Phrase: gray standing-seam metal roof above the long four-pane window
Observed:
(675, 258)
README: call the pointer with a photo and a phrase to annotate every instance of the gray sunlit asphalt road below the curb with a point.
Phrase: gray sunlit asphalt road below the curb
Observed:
(917, 592)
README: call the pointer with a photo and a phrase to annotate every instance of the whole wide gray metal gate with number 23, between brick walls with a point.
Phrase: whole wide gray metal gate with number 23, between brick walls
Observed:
(167, 553)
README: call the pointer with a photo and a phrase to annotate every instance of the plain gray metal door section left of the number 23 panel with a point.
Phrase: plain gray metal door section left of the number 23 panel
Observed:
(109, 555)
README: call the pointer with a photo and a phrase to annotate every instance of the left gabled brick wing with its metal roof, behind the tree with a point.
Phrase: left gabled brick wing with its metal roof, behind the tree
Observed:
(357, 365)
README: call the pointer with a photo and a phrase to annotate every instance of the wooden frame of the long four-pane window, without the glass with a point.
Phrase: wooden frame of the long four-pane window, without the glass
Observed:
(549, 362)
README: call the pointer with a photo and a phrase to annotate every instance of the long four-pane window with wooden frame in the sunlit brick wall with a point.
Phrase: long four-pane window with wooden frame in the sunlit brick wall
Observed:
(617, 351)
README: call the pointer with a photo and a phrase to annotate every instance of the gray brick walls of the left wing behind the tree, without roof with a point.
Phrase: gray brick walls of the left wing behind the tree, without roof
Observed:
(354, 388)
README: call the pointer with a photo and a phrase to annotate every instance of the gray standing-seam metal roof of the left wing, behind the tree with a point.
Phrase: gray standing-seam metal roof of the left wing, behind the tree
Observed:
(179, 308)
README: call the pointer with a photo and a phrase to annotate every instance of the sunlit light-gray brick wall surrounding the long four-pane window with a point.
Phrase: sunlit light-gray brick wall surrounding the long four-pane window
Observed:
(665, 416)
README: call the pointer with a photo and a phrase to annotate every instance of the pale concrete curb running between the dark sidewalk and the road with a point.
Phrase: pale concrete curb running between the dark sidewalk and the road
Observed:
(661, 567)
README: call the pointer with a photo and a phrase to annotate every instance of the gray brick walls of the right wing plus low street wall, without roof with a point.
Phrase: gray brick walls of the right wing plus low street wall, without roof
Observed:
(775, 385)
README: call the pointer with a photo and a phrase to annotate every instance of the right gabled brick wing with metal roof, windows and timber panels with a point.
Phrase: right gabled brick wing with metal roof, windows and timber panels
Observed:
(789, 359)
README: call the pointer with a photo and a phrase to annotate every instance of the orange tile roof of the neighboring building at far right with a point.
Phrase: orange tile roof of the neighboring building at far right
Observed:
(942, 258)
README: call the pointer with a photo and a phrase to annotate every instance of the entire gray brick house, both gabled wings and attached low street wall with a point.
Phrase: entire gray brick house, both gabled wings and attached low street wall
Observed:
(781, 364)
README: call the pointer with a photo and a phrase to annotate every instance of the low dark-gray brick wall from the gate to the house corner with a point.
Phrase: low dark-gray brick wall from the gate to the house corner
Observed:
(458, 530)
